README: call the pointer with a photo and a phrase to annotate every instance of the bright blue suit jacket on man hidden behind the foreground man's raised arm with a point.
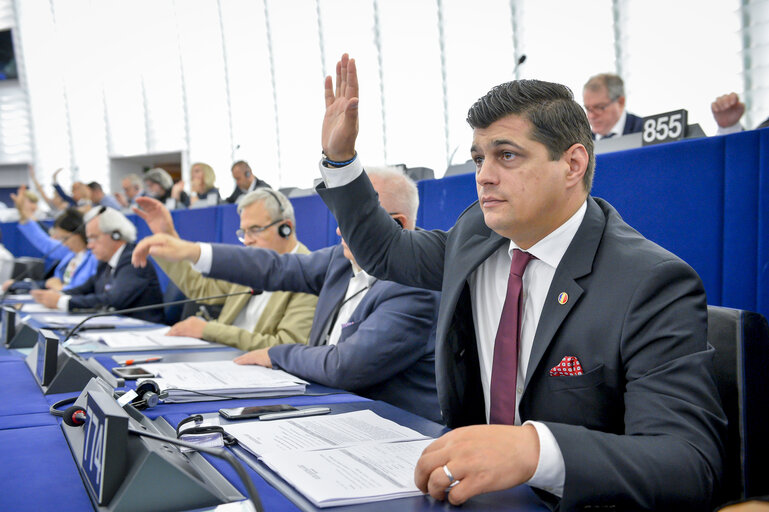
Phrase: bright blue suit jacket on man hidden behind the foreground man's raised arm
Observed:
(387, 350)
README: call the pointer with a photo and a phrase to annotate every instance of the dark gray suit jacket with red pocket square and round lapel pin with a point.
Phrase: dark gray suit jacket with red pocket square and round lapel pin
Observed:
(642, 427)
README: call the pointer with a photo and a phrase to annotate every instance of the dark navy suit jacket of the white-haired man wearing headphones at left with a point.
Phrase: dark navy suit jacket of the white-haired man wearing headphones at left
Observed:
(123, 287)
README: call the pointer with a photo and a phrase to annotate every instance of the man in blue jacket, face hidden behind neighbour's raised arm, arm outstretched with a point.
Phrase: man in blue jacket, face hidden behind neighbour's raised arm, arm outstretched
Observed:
(372, 337)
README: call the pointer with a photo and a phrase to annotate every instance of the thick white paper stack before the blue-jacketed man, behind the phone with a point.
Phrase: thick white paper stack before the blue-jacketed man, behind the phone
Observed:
(210, 380)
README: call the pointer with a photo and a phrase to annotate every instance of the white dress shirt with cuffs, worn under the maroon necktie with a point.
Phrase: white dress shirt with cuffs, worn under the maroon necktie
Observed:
(489, 287)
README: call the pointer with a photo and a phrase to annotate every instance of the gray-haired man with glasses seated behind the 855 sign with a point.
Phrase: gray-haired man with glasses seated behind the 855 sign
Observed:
(604, 99)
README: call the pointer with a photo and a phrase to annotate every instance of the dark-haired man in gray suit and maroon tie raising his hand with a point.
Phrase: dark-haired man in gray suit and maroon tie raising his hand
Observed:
(572, 350)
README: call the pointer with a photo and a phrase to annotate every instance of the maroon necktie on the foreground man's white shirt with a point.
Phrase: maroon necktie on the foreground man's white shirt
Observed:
(504, 371)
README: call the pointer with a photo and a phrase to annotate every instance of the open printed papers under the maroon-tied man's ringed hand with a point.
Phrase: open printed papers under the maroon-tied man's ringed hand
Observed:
(344, 459)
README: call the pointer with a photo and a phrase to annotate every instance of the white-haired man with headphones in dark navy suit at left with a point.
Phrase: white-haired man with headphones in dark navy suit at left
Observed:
(117, 284)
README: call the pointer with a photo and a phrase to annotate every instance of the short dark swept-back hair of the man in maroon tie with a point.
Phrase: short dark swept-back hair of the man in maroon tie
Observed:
(558, 121)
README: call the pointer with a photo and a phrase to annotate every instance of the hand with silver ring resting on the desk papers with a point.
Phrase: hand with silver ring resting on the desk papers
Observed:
(480, 458)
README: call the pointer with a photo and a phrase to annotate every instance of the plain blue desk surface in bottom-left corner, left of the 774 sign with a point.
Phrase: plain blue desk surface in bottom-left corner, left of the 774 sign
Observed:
(40, 473)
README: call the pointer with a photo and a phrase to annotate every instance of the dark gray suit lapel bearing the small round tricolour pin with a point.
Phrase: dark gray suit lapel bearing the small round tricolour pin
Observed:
(577, 262)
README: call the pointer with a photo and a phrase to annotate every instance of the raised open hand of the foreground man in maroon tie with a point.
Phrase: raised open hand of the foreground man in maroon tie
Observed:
(340, 124)
